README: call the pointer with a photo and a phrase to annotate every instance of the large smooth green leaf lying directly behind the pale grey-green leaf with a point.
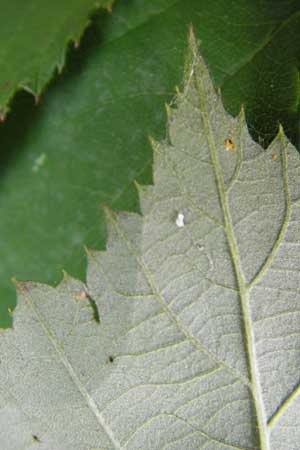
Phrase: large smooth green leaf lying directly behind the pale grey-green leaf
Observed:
(87, 141)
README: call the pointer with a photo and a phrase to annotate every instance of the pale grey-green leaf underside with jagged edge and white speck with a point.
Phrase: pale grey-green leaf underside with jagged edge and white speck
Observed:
(198, 342)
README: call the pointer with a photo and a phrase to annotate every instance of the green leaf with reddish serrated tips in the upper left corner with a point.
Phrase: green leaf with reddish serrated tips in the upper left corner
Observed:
(34, 36)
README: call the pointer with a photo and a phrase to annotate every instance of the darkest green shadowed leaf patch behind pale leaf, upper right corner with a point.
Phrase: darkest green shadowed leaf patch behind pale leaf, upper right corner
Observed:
(267, 83)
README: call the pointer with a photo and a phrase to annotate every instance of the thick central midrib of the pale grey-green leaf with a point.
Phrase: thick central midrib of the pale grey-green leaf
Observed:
(234, 253)
